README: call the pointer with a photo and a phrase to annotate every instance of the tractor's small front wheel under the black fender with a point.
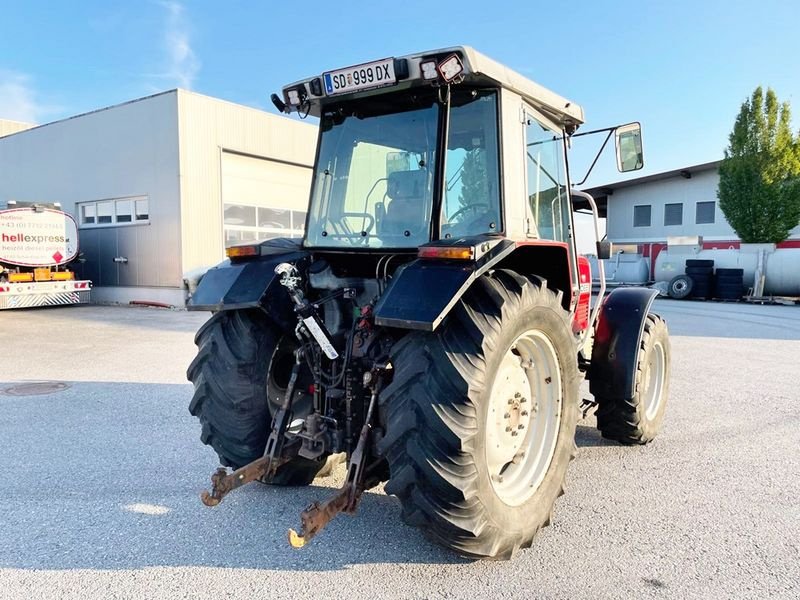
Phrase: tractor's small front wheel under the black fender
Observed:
(638, 420)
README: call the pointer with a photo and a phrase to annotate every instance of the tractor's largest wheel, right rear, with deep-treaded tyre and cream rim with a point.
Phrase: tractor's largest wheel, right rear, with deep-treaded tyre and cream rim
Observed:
(480, 418)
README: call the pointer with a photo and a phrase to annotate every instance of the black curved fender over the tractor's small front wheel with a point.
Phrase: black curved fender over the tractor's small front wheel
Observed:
(618, 335)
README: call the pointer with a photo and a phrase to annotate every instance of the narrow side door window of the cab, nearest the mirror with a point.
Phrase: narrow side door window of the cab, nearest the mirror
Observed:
(546, 182)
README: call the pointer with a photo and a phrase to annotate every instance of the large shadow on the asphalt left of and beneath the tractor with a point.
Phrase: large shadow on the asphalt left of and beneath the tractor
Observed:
(107, 476)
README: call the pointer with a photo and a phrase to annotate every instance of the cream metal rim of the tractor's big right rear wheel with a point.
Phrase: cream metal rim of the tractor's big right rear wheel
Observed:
(524, 417)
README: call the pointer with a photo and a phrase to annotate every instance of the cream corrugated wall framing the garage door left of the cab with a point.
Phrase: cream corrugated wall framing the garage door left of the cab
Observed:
(208, 127)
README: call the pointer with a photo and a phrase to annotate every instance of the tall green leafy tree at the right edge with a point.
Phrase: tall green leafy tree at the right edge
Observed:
(759, 178)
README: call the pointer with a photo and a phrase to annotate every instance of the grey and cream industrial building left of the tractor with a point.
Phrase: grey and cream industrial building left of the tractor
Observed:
(160, 185)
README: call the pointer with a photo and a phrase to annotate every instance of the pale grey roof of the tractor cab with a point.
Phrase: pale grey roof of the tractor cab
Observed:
(309, 95)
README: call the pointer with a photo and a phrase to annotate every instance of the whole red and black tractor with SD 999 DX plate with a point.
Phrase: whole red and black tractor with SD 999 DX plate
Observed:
(434, 324)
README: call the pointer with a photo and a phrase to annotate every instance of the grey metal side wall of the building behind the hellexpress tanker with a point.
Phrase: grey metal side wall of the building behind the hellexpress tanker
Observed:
(125, 150)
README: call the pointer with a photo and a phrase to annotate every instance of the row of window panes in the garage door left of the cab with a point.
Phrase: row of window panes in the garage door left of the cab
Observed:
(246, 223)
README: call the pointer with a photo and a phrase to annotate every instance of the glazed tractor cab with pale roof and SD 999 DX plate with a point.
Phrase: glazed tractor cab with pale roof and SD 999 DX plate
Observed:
(410, 152)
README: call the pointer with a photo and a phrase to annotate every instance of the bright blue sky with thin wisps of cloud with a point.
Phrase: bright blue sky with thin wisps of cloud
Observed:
(681, 67)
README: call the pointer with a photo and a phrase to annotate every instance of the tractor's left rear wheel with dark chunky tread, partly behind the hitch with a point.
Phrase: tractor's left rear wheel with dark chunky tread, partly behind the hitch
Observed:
(241, 357)
